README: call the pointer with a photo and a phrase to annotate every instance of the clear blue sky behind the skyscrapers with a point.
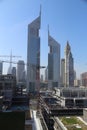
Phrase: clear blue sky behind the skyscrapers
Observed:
(67, 20)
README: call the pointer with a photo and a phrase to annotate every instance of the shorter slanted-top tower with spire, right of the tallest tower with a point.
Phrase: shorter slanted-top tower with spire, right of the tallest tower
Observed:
(53, 63)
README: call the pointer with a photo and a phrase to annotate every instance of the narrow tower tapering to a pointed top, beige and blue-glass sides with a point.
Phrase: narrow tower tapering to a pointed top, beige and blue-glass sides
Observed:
(69, 67)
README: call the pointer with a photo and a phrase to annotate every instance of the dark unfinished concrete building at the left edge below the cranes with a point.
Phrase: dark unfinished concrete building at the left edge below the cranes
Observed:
(7, 87)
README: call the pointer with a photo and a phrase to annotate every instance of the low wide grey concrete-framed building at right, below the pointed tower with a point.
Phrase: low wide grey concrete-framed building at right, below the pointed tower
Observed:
(73, 97)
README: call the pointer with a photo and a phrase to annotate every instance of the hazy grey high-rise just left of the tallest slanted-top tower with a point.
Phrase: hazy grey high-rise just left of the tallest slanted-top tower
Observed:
(20, 70)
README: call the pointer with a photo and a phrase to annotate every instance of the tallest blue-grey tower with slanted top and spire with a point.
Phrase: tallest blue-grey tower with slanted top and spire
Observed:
(33, 55)
